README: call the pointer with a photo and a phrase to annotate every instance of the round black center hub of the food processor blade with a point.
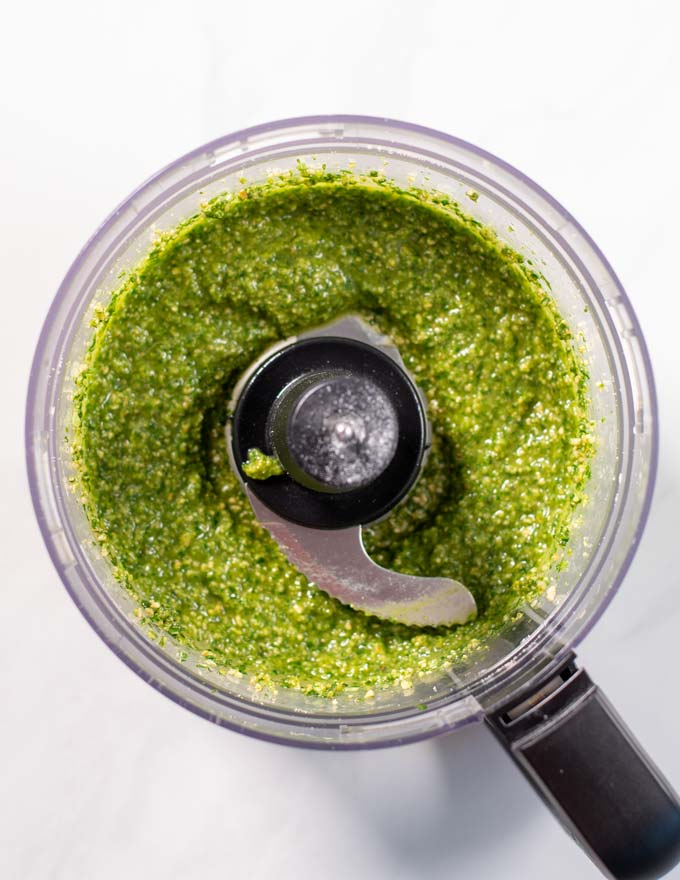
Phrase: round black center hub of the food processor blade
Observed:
(346, 422)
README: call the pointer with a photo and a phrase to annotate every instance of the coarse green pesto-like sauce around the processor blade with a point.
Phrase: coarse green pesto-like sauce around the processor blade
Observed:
(507, 403)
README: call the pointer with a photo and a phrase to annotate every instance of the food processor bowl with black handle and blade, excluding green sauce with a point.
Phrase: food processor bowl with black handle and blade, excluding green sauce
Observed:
(525, 683)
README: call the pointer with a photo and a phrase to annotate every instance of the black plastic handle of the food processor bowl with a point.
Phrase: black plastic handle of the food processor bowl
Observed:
(587, 766)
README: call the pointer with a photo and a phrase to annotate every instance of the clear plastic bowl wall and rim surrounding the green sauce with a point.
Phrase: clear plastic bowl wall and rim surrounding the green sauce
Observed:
(589, 296)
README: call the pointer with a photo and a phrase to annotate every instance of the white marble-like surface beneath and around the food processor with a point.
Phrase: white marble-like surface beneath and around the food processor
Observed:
(104, 778)
